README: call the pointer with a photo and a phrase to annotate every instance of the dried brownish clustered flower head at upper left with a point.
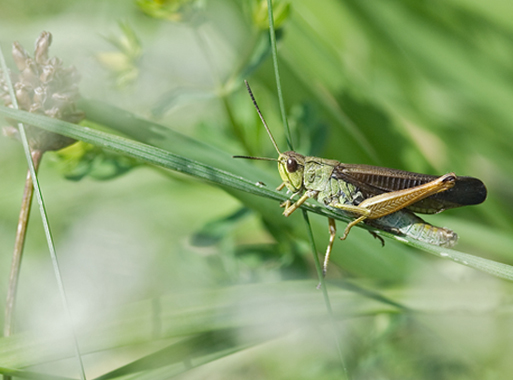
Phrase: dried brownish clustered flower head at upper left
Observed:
(42, 86)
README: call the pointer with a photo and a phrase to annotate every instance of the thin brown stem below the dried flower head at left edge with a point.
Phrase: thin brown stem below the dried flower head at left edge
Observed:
(18, 247)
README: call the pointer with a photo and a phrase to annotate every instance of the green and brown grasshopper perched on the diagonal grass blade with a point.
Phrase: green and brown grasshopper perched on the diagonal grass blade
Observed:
(380, 197)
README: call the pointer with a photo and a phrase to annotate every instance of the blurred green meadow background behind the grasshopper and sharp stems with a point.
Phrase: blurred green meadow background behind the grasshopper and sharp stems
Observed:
(199, 282)
